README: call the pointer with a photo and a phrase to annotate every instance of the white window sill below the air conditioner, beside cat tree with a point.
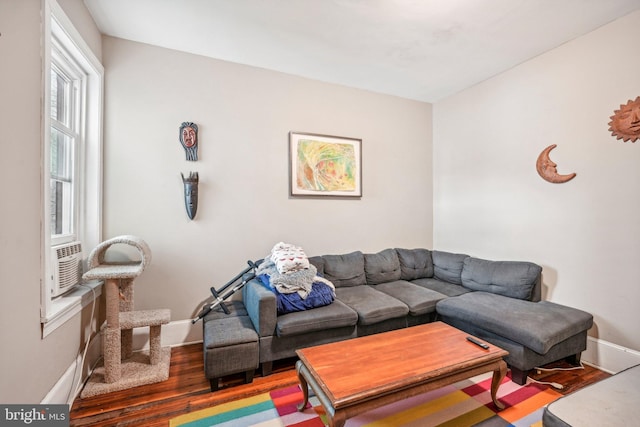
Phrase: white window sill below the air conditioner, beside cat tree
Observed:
(68, 305)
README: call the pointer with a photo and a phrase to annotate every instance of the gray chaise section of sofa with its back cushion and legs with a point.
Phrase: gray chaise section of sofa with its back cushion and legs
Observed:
(504, 309)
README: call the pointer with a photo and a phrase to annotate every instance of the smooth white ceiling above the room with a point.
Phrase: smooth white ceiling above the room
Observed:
(417, 49)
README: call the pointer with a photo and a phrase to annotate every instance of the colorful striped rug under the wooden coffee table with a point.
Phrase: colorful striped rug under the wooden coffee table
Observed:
(467, 403)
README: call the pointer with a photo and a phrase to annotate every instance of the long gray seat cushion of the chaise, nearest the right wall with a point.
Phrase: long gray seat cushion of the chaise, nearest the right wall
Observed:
(536, 325)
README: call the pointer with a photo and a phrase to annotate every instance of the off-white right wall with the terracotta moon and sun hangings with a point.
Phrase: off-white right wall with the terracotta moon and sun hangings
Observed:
(490, 202)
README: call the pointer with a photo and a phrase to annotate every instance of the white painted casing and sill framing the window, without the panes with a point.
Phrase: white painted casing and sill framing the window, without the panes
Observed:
(54, 312)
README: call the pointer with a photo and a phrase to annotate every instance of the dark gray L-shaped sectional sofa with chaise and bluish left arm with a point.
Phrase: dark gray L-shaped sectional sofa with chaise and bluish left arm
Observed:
(498, 301)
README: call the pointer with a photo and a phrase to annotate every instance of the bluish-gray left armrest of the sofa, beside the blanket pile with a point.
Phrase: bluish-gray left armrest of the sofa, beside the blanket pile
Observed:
(260, 303)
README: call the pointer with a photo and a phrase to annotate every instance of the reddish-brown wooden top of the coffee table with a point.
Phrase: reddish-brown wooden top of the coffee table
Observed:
(362, 368)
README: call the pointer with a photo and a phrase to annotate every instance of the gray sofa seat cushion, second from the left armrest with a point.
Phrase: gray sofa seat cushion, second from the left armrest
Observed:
(372, 306)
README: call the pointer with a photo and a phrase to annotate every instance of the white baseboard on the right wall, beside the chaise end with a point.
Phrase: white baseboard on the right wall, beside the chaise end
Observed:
(609, 357)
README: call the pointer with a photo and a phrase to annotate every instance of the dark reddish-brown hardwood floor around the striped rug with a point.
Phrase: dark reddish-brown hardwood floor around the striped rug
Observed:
(188, 390)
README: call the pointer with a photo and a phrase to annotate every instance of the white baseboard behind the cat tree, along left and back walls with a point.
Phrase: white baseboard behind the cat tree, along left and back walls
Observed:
(177, 333)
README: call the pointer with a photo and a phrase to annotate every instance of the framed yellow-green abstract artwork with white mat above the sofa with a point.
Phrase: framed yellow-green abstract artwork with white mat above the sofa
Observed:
(324, 165)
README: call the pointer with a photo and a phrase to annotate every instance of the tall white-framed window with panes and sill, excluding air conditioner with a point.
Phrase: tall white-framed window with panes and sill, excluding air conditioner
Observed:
(72, 156)
